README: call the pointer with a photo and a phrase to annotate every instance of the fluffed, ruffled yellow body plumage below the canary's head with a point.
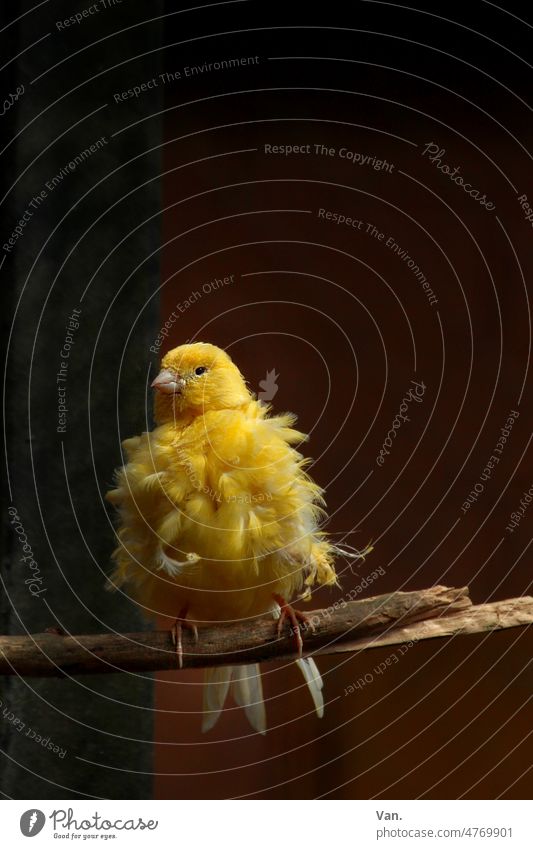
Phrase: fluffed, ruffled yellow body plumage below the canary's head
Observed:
(220, 506)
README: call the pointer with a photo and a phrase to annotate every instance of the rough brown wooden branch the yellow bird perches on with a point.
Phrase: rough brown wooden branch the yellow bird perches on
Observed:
(344, 627)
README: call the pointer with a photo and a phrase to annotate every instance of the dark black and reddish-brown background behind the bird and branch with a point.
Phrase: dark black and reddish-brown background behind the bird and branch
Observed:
(339, 317)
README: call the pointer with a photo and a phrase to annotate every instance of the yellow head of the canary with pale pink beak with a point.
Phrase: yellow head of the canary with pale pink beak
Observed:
(196, 378)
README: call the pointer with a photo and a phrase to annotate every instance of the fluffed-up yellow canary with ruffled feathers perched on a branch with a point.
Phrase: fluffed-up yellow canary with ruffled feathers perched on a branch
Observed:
(219, 520)
